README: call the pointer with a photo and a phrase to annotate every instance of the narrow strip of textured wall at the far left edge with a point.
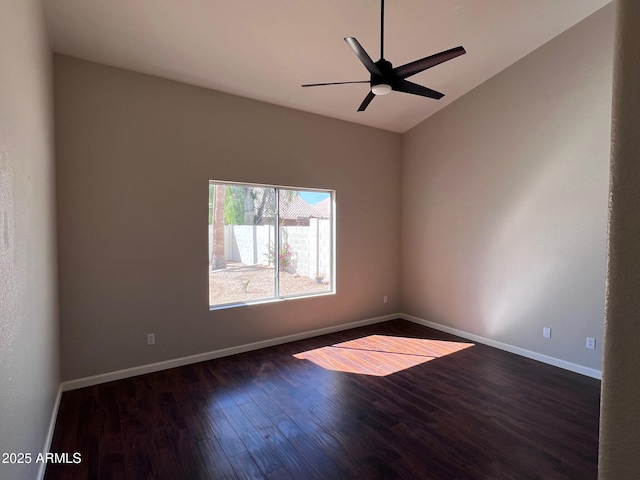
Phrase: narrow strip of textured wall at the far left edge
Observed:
(29, 356)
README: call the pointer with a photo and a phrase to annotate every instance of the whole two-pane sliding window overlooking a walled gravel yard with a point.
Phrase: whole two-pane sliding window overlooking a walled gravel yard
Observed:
(268, 242)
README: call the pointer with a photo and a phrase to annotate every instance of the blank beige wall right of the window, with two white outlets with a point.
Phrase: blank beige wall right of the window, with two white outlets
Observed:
(504, 207)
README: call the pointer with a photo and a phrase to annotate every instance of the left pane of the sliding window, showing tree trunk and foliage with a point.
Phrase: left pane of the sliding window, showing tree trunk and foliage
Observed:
(241, 243)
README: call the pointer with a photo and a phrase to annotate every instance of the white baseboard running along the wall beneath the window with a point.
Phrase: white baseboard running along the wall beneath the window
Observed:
(202, 357)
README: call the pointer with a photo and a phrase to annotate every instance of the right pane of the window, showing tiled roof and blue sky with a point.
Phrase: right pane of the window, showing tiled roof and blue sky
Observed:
(305, 242)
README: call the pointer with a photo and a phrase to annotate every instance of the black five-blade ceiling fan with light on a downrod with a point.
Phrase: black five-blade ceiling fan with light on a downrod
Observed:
(385, 78)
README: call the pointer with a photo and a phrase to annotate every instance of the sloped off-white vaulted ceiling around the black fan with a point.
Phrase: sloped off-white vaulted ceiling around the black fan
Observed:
(266, 49)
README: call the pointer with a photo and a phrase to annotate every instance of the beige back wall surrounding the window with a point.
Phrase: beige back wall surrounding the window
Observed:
(134, 156)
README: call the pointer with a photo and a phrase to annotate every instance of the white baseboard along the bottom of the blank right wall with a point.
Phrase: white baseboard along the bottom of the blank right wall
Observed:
(556, 362)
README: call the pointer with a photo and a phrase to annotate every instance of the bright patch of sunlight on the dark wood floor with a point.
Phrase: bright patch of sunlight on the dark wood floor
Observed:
(380, 355)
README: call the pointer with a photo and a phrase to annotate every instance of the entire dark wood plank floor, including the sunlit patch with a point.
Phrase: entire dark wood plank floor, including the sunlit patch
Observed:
(392, 400)
